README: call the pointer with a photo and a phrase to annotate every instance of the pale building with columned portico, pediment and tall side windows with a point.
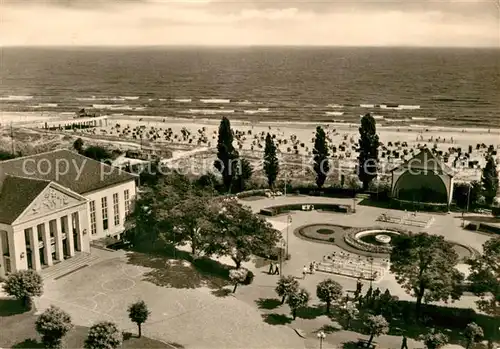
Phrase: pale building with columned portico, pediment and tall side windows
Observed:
(53, 204)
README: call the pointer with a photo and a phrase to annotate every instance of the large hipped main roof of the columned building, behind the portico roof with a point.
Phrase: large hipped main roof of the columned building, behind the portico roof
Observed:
(82, 175)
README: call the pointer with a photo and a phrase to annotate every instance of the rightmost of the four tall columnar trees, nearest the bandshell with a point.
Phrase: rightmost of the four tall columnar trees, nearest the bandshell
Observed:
(368, 150)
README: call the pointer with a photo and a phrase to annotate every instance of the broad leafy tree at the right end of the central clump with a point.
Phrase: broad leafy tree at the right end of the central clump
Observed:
(241, 233)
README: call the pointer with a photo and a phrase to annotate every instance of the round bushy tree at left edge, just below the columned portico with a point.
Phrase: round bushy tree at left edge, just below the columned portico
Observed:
(24, 285)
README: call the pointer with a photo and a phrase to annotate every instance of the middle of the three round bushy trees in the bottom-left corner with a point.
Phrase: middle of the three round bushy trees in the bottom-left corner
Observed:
(53, 324)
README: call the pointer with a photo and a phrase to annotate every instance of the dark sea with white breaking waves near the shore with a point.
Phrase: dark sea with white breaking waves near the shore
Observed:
(400, 86)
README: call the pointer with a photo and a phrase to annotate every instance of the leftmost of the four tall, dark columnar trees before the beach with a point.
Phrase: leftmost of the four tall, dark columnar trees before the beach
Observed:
(227, 155)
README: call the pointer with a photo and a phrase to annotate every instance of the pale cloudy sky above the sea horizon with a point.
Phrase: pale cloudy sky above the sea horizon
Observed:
(251, 22)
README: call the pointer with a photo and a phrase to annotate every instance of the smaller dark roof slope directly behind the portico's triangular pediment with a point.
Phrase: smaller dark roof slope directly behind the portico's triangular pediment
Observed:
(16, 194)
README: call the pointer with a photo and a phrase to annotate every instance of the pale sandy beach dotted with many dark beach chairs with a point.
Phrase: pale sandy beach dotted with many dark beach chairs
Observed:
(295, 140)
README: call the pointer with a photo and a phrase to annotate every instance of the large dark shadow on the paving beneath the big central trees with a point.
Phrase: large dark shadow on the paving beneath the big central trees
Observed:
(175, 268)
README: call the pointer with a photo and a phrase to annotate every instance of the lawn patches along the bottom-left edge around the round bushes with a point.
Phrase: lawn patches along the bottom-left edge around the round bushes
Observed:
(18, 331)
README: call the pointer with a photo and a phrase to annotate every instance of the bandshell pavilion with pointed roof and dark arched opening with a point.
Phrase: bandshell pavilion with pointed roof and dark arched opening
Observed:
(423, 179)
